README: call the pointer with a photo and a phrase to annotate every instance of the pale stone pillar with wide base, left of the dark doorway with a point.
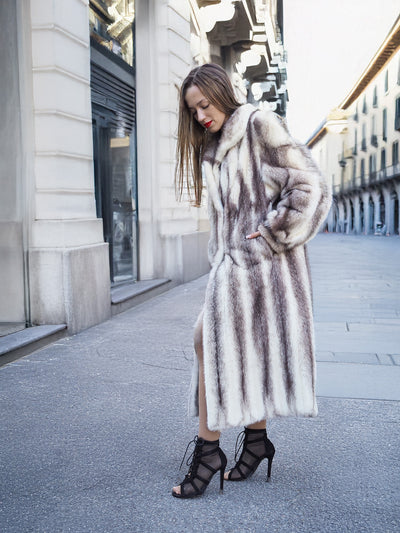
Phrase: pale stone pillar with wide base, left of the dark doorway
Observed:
(68, 259)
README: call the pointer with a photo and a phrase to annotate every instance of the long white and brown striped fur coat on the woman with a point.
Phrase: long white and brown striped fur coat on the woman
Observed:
(257, 317)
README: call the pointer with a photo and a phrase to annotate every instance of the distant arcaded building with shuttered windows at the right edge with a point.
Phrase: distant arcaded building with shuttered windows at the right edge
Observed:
(357, 147)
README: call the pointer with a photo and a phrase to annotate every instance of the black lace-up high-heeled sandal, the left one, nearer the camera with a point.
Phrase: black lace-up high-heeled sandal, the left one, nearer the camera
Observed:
(205, 461)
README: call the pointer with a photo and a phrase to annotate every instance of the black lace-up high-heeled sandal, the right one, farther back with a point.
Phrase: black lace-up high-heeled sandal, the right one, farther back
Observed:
(255, 447)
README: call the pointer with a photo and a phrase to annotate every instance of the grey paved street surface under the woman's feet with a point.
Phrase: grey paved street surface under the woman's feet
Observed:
(93, 427)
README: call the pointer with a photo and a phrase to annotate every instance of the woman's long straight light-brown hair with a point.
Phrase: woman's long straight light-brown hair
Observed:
(214, 83)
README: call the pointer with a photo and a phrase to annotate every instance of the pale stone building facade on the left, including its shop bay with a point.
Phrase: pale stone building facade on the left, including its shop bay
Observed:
(88, 207)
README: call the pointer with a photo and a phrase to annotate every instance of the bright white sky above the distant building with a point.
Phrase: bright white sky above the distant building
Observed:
(329, 43)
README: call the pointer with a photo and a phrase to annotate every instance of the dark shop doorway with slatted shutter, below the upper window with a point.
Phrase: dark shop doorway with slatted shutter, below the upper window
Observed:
(114, 154)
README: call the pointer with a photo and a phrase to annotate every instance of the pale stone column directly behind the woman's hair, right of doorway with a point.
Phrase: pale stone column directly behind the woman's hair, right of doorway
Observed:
(173, 235)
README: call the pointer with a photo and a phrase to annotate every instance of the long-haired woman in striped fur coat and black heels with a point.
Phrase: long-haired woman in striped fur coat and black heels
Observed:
(254, 337)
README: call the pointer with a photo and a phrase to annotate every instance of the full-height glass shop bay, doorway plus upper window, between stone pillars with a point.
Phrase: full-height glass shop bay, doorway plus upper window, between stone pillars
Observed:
(114, 131)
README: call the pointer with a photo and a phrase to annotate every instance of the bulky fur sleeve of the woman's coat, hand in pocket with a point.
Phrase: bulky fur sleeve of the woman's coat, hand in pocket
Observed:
(301, 197)
